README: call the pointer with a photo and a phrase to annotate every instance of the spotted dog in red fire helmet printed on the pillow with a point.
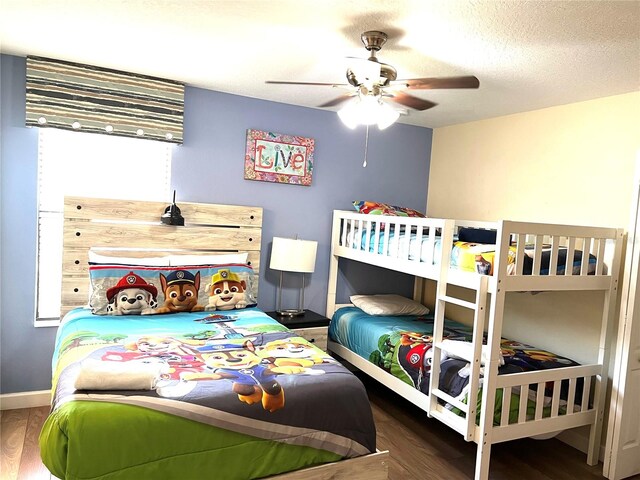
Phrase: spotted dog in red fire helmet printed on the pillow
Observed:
(132, 295)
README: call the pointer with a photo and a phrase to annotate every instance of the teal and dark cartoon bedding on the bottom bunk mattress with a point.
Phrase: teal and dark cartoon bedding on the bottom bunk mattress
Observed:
(402, 346)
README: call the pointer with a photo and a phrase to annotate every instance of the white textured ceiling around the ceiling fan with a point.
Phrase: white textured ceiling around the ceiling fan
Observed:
(527, 54)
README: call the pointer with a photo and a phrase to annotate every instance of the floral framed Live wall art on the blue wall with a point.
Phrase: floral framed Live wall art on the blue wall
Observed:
(275, 157)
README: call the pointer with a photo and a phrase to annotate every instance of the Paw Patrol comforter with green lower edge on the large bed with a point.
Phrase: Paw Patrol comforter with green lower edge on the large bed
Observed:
(193, 395)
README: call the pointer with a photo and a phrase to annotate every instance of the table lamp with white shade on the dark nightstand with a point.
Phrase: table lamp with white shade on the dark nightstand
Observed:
(292, 255)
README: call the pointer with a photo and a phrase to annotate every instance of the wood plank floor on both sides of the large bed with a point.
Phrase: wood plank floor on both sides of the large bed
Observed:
(421, 448)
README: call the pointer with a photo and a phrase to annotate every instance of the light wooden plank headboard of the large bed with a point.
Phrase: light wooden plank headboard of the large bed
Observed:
(133, 228)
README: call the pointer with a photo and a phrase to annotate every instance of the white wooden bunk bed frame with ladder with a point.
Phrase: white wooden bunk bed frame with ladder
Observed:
(488, 315)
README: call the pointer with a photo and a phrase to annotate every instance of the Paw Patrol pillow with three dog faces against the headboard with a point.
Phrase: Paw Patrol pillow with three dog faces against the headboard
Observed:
(149, 290)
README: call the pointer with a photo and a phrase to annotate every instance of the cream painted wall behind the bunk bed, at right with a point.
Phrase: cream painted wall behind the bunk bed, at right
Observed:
(567, 164)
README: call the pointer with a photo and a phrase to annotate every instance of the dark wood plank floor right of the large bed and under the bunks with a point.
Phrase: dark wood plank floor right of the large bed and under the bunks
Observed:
(424, 448)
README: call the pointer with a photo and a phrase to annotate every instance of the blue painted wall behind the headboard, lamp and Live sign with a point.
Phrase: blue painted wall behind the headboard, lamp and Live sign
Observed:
(209, 168)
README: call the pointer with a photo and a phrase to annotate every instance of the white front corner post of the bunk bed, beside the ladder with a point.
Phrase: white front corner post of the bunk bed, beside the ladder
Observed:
(494, 334)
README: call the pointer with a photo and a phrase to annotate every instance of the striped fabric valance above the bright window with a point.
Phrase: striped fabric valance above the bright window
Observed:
(92, 99)
